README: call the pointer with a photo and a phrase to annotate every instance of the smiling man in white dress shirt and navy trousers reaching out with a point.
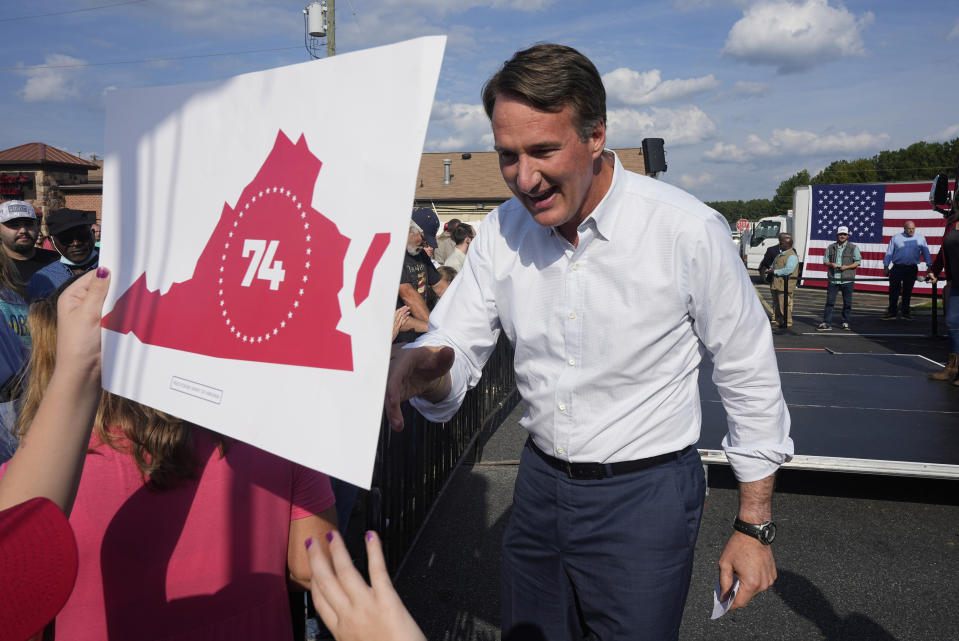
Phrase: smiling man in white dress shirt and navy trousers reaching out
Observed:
(610, 287)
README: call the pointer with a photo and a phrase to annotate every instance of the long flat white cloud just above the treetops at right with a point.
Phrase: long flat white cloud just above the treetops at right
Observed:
(795, 143)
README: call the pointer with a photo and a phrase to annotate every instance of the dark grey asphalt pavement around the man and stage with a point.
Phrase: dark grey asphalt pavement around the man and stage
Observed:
(859, 556)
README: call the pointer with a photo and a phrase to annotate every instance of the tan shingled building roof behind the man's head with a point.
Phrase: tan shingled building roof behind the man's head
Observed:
(478, 176)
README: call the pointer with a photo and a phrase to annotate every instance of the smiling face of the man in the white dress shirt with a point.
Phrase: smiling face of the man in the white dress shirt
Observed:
(544, 163)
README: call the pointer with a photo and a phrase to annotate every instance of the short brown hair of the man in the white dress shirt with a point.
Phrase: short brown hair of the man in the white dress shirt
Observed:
(549, 77)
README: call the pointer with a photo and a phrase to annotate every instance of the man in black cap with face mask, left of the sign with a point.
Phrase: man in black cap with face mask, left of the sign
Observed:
(72, 234)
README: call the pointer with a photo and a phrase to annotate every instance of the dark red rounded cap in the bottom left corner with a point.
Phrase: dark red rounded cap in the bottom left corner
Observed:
(39, 566)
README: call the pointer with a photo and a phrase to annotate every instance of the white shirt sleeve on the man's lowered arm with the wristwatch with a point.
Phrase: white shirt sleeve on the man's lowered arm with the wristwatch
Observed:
(731, 323)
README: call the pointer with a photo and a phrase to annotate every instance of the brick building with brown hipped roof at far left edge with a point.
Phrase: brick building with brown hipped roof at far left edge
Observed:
(50, 178)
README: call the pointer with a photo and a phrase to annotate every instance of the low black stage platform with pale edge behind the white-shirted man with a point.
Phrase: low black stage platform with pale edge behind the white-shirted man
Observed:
(852, 412)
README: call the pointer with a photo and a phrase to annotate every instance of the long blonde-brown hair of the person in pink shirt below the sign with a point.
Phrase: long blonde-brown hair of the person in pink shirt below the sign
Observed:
(161, 445)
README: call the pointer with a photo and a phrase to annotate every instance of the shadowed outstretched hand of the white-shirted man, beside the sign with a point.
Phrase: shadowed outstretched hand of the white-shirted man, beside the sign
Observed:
(420, 371)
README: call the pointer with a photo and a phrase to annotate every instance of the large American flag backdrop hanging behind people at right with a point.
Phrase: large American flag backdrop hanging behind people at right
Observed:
(874, 213)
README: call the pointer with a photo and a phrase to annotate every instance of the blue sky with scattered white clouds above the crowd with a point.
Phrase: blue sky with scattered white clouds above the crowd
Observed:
(745, 93)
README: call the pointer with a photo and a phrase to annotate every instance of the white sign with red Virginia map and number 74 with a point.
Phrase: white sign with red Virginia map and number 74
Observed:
(255, 228)
